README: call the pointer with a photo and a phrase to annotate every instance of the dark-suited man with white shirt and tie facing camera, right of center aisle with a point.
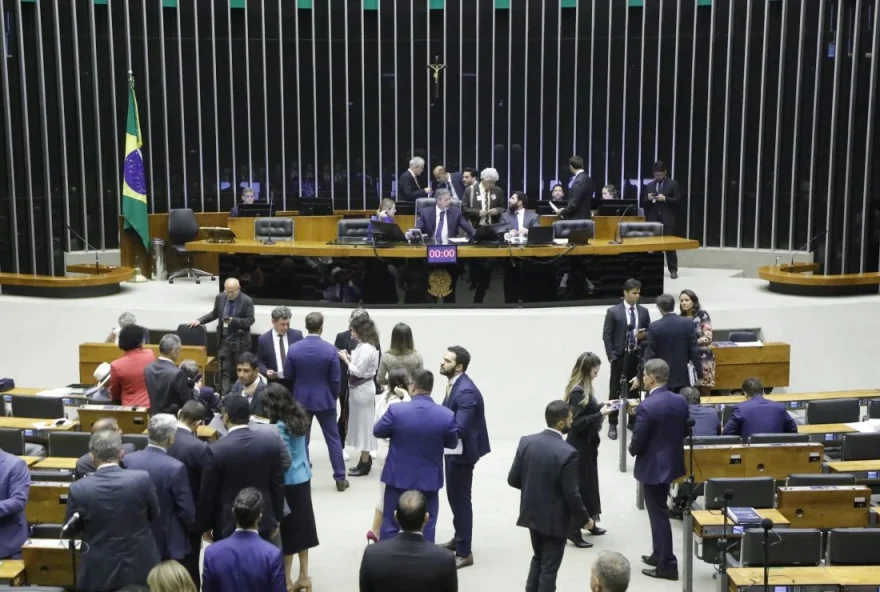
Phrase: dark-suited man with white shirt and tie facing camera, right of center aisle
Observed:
(624, 329)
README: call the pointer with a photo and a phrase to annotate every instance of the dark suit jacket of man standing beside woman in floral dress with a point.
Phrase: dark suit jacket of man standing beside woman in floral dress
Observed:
(672, 338)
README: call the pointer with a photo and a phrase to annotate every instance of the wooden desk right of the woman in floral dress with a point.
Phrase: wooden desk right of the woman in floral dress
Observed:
(770, 363)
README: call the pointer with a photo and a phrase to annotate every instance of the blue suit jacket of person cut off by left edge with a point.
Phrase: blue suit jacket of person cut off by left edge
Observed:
(15, 485)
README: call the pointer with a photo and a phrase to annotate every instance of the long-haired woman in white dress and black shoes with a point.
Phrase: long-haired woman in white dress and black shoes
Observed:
(363, 363)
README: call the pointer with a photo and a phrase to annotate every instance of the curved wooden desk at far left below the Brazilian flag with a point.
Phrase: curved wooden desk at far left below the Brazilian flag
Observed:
(106, 281)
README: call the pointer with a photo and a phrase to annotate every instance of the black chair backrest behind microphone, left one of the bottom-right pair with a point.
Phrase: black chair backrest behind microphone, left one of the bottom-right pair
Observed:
(787, 546)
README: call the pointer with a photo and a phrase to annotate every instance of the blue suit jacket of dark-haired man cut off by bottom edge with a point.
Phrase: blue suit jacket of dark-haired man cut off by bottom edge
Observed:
(243, 563)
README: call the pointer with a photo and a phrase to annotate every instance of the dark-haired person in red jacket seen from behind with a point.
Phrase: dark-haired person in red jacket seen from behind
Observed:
(127, 384)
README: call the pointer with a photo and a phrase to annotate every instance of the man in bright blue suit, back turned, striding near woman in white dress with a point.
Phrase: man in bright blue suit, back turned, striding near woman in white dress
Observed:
(313, 366)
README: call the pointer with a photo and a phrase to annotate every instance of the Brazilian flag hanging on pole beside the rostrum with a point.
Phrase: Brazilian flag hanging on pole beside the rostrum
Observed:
(134, 184)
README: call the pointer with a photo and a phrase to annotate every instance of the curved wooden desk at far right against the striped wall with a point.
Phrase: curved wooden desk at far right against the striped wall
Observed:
(802, 279)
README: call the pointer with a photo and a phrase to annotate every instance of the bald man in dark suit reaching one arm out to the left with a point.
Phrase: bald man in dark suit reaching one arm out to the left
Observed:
(234, 312)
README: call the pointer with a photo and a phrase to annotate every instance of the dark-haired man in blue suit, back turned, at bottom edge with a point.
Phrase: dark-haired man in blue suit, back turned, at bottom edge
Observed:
(243, 562)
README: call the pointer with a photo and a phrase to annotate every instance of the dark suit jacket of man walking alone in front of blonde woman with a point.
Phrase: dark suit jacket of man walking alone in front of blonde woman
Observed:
(545, 471)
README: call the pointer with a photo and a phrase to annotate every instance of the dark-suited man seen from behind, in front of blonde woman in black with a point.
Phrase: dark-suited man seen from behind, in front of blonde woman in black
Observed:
(545, 471)
